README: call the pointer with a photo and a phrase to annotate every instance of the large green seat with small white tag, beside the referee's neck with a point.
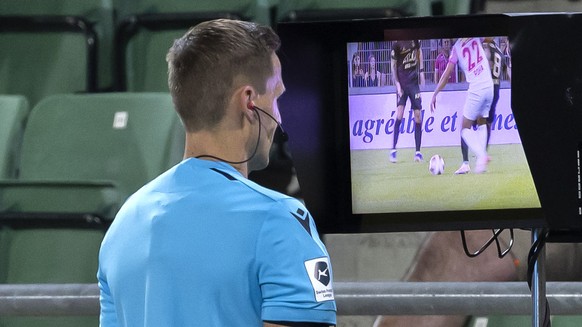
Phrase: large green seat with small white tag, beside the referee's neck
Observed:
(87, 153)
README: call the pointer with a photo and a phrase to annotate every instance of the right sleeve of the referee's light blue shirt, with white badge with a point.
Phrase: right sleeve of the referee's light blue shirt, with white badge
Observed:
(295, 272)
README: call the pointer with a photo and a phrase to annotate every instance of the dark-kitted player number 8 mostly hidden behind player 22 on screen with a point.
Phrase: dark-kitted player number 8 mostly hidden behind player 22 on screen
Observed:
(496, 62)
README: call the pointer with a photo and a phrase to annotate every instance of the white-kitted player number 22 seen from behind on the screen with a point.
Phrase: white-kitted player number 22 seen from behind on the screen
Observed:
(468, 53)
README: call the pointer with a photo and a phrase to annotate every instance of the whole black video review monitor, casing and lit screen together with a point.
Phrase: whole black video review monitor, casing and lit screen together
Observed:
(438, 123)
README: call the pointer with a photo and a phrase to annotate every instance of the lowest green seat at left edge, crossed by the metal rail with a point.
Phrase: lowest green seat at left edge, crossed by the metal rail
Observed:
(48, 254)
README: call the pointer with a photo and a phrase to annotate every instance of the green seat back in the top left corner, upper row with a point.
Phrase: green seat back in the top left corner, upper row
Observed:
(43, 55)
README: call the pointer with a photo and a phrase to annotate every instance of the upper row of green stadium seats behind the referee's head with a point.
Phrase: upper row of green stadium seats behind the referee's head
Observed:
(65, 46)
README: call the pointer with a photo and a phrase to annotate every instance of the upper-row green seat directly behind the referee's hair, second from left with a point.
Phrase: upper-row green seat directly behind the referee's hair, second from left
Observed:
(147, 30)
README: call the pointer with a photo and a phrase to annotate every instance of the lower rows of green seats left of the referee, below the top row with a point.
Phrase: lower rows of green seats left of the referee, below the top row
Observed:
(66, 165)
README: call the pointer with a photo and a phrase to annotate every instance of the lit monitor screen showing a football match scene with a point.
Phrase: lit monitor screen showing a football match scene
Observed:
(387, 176)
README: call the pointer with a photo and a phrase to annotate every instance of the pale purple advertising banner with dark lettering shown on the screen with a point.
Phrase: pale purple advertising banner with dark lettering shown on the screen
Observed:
(372, 119)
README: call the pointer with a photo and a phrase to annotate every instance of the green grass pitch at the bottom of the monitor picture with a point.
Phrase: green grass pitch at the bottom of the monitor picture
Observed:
(381, 186)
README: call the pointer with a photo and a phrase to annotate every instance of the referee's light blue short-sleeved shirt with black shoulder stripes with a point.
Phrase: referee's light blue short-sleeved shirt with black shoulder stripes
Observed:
(203, 246)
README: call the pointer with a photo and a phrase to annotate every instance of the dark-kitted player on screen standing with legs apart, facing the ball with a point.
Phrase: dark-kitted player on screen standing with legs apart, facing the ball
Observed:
(407, 71)
